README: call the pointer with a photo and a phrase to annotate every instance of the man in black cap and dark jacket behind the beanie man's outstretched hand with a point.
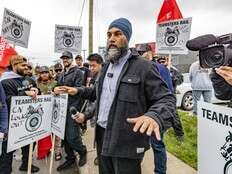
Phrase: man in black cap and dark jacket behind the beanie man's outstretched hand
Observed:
(72, 76)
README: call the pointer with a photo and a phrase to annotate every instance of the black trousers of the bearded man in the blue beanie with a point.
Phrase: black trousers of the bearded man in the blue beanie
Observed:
(114, 165)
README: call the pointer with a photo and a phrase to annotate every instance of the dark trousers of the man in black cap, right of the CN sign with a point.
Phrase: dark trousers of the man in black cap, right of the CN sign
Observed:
(73, 140)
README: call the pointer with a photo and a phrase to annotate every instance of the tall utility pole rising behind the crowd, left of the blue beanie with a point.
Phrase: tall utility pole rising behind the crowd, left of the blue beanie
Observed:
(90, 26)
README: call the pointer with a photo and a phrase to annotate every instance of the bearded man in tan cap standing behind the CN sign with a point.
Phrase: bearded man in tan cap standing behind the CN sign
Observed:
(16, 83)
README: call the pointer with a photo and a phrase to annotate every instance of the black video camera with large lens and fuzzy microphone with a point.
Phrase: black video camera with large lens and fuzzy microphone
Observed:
(213, 51)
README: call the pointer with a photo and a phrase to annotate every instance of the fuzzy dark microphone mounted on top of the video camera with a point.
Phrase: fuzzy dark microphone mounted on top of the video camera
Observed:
(201, 42)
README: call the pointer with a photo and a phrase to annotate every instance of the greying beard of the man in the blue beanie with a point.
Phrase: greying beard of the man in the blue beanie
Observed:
(114, 54)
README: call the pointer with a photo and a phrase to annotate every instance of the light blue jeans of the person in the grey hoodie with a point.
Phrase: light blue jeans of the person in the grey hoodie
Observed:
(207, 94)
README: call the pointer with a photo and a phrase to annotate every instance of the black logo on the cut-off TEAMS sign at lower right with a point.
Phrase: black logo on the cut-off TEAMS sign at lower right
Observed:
(226, 152)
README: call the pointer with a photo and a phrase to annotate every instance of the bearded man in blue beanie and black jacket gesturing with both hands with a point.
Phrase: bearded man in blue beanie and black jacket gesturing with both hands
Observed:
(131, 97)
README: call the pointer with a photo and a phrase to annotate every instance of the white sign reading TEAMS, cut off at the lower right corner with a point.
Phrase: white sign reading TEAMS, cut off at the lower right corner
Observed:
(214, 139)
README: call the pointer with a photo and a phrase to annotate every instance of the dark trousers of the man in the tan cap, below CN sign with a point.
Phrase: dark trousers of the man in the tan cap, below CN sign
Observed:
(6, 159)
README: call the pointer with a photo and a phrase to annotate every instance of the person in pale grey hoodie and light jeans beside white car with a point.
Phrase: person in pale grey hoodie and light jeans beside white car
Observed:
(201, 84)
